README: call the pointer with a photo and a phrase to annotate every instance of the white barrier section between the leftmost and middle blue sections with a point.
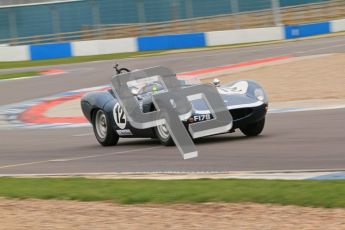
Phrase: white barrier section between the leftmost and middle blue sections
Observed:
(95, 47)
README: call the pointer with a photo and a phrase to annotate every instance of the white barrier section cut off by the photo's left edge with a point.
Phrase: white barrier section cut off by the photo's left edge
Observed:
(14, 53)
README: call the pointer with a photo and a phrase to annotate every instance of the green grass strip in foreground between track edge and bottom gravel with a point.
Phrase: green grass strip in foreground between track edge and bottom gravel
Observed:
(327, 194)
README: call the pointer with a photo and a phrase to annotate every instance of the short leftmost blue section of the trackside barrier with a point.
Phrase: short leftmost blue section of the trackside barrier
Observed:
(47, 51)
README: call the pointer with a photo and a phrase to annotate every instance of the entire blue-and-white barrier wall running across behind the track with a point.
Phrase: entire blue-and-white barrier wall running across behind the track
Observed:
(161, 42)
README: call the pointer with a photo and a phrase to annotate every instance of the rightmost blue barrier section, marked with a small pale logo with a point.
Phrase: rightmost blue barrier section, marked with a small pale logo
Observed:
(304, 30)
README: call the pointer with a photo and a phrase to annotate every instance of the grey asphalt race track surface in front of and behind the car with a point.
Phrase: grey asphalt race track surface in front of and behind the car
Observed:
(311, 140)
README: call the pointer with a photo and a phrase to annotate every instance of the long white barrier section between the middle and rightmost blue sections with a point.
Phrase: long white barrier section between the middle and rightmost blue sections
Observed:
(244, 36)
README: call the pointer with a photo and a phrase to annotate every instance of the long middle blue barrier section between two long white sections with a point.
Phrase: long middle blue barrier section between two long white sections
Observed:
(174, 41)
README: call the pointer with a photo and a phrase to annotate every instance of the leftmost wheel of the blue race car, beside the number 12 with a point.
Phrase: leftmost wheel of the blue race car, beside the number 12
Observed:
(102, 129)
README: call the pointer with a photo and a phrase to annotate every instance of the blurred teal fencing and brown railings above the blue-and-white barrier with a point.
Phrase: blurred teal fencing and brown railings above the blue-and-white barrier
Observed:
(45, 21)
